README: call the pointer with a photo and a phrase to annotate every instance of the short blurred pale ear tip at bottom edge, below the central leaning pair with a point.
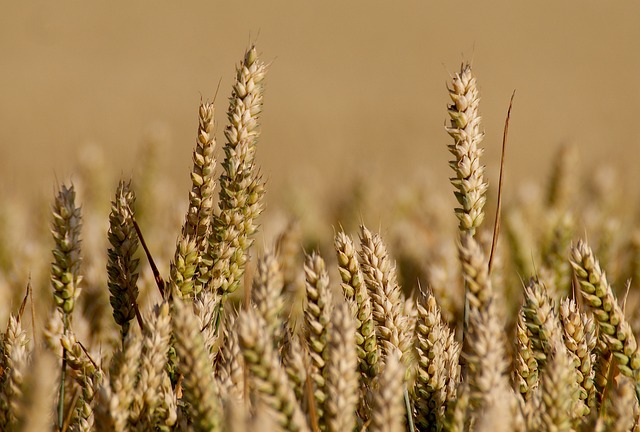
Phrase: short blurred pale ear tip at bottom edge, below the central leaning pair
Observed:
(388, 414)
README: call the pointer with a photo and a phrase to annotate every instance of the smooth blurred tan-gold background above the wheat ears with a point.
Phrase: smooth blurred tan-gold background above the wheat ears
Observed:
(355, 88)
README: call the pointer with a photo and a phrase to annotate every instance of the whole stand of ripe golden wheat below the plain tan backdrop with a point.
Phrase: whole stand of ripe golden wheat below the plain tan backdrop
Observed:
(152, 319)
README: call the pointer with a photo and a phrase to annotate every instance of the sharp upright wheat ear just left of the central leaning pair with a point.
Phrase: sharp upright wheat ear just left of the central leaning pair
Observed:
(317, 322)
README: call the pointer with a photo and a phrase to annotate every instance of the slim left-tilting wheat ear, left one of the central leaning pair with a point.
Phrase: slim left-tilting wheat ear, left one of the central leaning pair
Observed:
(354, 287)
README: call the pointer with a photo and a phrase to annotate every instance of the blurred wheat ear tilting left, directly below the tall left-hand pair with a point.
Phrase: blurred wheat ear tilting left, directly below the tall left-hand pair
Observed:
(199, 388)
